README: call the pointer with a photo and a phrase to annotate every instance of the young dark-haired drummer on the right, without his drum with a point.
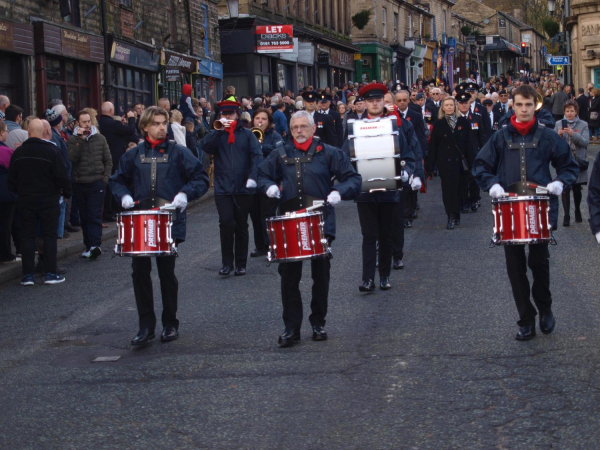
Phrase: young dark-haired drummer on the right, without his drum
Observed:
(497, 170)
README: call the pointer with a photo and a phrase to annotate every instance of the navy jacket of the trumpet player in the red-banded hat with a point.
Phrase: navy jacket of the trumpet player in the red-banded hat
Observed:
(235, 163)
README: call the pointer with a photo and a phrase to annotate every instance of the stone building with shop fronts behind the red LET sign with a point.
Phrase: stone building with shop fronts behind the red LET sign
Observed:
(323, 54)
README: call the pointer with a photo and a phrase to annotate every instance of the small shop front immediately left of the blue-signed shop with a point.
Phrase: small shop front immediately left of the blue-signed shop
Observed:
(177, 70)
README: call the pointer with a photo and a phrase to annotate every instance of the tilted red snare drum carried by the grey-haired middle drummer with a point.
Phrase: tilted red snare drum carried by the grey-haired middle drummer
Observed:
(297, 236)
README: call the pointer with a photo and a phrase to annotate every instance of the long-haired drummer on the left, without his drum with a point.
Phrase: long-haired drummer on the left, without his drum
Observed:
(158, 172)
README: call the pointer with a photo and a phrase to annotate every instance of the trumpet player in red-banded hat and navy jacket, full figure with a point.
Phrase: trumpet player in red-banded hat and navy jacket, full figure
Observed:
(237, 157)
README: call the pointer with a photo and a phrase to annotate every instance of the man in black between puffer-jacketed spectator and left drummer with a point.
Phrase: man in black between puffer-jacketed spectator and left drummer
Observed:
(118, 136)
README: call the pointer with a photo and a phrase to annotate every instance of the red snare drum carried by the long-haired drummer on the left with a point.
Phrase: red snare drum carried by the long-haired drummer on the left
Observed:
(144, 233)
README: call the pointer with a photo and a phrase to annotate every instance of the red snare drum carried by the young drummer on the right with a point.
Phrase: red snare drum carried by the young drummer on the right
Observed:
(521, 220)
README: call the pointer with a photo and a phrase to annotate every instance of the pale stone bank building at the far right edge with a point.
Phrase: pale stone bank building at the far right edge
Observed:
(584, 26)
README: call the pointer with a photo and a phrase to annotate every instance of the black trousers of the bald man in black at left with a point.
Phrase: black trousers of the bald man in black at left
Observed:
(31, 217)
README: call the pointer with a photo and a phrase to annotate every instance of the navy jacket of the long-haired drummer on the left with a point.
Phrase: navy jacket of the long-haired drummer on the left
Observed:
(183, 173)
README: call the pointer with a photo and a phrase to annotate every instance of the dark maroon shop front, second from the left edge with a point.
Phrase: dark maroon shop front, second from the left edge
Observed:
(67, 67)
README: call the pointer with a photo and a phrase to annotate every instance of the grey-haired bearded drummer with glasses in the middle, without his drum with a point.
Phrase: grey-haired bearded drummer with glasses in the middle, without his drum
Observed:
(299, 190)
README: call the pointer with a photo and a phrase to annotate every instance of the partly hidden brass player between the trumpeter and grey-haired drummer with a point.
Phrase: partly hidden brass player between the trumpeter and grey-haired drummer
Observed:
(263, 206)
